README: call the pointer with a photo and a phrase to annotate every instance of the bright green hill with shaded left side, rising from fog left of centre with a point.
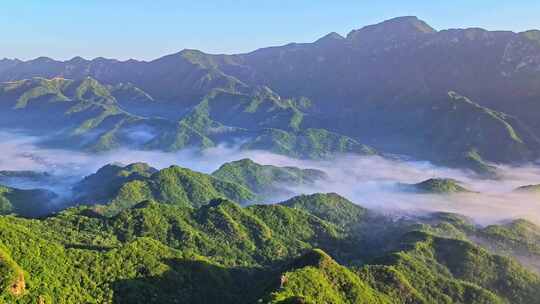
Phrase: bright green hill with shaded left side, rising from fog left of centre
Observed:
(118, 187)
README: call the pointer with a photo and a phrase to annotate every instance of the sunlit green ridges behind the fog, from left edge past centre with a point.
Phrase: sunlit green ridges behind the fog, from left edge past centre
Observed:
(86, 114)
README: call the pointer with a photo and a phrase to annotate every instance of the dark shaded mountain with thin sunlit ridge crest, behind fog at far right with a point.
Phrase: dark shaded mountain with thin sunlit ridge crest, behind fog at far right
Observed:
(474, 131)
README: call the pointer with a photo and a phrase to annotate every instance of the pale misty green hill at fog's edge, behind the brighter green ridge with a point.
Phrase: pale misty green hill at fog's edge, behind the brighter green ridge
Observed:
(267, 180)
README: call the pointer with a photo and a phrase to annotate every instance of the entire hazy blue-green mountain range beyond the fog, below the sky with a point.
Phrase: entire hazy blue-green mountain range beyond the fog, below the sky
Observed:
(460, 97)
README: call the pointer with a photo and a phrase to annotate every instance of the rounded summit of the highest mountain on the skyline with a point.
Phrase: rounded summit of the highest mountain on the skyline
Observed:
(393, 29)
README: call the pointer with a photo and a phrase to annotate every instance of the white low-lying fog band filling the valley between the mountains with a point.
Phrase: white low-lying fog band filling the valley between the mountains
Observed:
(369, 181)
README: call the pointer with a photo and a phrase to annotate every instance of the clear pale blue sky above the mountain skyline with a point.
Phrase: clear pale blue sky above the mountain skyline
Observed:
(147, 29)
